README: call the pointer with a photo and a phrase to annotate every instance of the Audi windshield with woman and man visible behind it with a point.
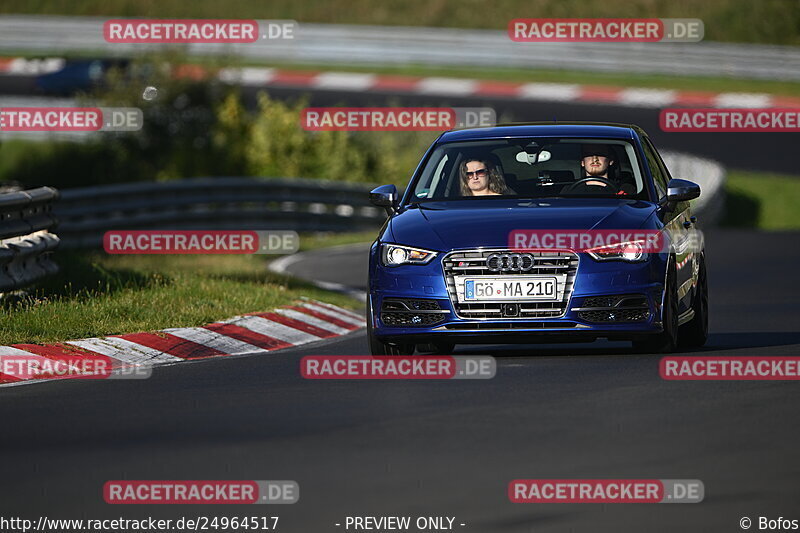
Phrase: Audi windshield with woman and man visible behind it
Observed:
(531, 168)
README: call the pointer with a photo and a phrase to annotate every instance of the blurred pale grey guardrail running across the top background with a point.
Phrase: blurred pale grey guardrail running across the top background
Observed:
(397, 45)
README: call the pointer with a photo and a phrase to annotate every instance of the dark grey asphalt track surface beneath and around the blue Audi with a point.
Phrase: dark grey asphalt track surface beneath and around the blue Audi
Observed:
(443, 447)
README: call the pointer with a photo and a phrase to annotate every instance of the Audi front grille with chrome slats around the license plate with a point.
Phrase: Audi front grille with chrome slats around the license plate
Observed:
(474, 263)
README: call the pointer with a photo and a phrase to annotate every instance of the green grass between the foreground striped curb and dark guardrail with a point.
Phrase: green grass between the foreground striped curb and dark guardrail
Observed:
(96, 294)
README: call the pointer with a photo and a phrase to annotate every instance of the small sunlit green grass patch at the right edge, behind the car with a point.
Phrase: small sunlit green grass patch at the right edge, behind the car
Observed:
(761, 200)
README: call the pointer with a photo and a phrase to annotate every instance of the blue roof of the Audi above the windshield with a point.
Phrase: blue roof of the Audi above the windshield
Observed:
(545, 129)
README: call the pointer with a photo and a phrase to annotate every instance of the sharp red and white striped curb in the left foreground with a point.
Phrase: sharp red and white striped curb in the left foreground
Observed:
(307, 321)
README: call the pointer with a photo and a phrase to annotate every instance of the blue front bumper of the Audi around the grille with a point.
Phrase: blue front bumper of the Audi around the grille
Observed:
(588, 313)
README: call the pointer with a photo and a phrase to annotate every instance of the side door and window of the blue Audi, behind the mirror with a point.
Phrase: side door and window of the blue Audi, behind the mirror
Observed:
(681, 227)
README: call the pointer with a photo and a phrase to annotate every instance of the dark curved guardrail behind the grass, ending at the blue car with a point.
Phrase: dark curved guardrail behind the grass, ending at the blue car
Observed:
(214, 203)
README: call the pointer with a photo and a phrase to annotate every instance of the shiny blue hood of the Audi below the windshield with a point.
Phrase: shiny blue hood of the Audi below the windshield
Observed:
(462, 224)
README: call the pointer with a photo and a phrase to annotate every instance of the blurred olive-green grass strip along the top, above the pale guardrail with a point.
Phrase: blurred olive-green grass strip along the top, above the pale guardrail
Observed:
(760, 21)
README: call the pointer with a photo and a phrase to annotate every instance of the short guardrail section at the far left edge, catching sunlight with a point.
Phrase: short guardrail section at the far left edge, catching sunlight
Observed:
(25, 240)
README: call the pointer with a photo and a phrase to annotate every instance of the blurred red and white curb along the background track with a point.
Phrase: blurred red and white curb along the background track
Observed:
(443, 86)
